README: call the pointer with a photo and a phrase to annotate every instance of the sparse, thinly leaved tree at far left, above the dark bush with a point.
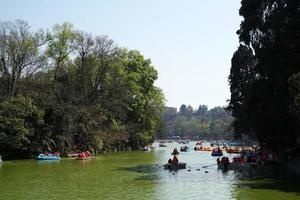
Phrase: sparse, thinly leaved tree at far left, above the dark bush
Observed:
(20, 55)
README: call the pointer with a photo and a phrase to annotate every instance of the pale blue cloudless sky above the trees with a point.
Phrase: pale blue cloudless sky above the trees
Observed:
(190, 42)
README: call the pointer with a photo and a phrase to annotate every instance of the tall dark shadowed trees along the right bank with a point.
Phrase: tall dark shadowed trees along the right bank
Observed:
(265, 73)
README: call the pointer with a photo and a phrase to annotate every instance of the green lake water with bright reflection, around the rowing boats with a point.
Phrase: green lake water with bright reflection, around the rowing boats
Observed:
(140, 175)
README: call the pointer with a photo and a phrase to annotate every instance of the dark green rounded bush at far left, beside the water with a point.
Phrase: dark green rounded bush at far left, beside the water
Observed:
(20, 121)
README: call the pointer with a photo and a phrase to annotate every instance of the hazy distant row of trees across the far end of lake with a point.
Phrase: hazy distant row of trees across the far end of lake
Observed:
(201, 122)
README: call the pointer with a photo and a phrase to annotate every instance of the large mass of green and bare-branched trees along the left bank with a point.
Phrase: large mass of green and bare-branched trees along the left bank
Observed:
(66, 90)
